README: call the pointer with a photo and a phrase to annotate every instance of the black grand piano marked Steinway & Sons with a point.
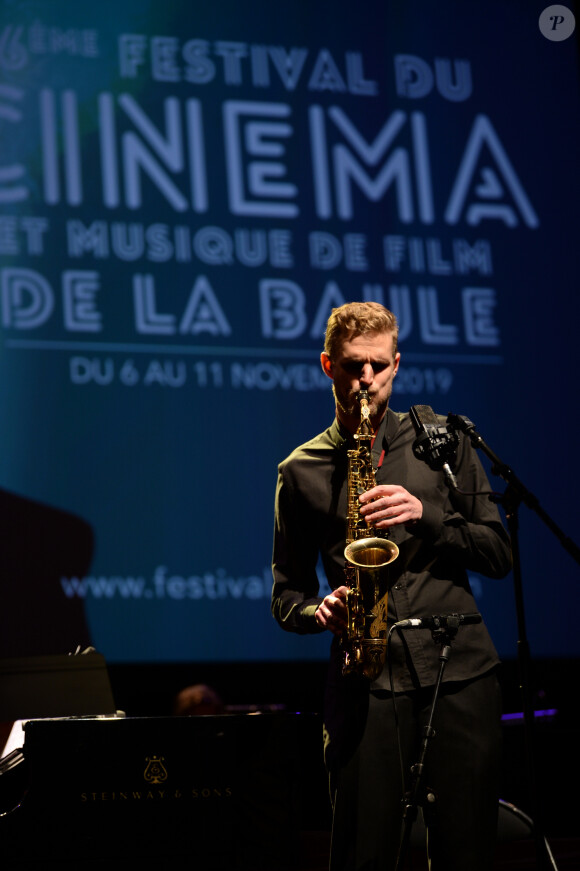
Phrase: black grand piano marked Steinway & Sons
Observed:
(232, 791)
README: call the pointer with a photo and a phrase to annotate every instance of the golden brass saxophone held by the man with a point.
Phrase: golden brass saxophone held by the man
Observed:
(366, 556)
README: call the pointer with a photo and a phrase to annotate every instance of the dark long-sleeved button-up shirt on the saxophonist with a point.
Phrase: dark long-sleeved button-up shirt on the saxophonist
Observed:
(456, 533)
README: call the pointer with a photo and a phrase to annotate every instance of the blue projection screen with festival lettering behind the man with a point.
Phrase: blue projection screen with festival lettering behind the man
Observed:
(186, 190)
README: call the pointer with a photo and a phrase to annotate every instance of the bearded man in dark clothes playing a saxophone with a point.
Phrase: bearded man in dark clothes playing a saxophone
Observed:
(439, 534)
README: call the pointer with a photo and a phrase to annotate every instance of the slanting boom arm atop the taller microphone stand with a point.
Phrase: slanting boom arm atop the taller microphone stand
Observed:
(516, 492)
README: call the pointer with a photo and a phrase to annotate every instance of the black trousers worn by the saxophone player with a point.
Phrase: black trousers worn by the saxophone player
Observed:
(461, 770)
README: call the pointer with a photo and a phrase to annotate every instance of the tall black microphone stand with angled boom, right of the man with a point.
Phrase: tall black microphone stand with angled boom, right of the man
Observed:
(514, 495)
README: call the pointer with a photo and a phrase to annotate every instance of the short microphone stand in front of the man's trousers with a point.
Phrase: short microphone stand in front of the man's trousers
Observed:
(442, 636)
